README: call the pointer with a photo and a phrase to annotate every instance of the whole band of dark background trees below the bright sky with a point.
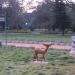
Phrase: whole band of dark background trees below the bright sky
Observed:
(49, 15)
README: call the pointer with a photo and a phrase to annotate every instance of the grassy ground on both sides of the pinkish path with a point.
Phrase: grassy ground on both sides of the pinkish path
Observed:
(17, 61)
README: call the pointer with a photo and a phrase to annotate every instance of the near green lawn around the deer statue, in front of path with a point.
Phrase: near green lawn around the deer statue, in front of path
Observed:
(16, 61)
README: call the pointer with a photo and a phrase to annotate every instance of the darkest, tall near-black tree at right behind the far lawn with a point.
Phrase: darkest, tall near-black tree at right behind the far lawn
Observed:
(62, 19)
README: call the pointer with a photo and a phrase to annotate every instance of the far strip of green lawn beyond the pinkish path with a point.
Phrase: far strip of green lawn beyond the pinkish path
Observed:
(37, 37)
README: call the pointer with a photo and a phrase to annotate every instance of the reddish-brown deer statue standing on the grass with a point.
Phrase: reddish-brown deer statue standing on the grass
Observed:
(42, 51)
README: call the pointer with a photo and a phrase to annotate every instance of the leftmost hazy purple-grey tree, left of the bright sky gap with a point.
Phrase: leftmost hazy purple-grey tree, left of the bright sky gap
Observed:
(13, 12)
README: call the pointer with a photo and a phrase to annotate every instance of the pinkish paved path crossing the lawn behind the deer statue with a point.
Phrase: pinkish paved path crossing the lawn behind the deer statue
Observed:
(36, 45)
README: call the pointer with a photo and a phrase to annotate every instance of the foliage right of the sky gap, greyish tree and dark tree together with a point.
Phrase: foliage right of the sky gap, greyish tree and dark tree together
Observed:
(53, 15)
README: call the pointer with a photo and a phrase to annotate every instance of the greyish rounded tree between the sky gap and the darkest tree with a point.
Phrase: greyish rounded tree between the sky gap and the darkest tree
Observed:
(44, 15)
